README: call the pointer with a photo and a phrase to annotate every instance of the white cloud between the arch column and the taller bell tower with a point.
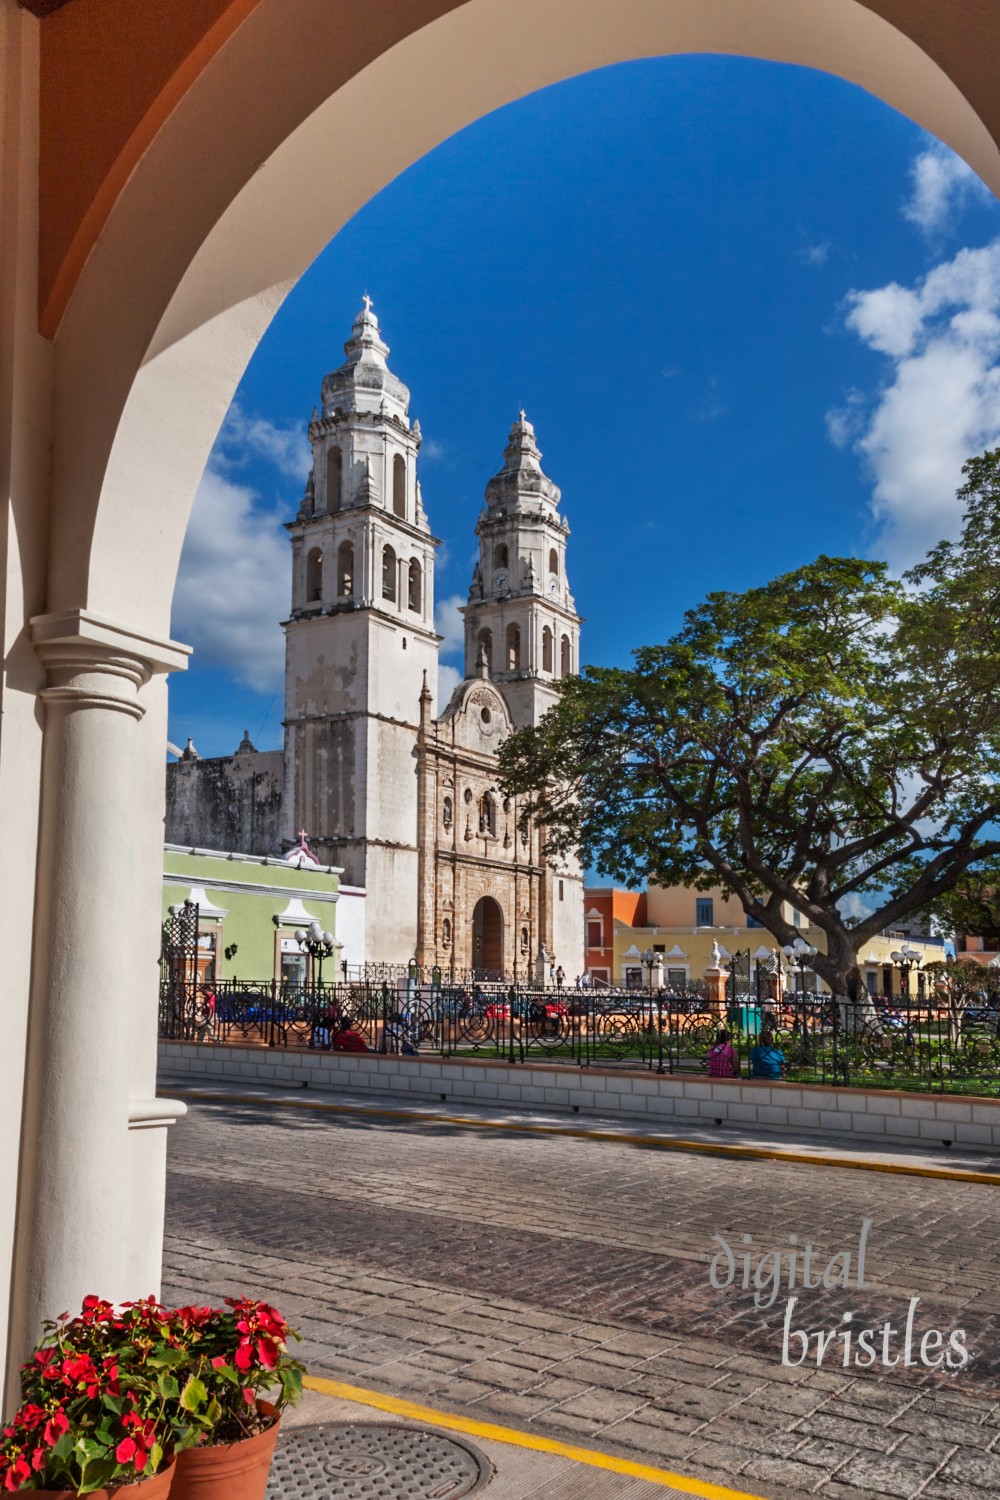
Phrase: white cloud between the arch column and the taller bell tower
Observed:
(233, 587)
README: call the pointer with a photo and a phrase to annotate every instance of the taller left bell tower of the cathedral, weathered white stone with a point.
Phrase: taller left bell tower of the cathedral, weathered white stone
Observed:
(361, 640)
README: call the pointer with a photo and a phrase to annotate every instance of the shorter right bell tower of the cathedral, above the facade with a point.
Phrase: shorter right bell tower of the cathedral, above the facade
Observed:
(521, 614)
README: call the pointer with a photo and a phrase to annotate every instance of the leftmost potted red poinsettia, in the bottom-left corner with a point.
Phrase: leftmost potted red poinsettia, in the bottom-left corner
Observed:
(94, 1418)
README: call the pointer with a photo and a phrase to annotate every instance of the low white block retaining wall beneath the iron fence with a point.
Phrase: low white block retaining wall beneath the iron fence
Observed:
(912, 1118)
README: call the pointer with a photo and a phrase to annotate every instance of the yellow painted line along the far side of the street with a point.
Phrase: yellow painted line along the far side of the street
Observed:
(615, 1138)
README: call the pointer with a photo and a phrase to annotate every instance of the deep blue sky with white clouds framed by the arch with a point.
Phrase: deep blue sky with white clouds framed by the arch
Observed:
(753, 314)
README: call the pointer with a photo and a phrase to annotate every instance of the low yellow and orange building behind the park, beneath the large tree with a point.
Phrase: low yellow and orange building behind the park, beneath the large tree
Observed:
(674, 932)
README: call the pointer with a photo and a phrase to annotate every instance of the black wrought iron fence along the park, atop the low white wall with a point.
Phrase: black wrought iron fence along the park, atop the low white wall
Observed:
(812, 1039)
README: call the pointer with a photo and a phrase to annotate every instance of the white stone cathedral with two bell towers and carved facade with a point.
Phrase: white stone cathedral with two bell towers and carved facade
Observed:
(403, 802)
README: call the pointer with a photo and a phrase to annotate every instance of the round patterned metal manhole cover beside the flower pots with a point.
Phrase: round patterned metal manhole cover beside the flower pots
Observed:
(373, 1460)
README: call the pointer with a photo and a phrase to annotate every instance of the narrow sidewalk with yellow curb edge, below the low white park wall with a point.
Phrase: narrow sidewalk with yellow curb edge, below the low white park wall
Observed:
(810, 1148)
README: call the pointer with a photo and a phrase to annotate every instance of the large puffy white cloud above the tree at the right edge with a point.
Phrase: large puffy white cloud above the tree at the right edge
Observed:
(941, 400)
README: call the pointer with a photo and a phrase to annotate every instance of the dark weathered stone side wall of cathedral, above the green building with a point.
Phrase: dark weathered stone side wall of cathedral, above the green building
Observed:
(232, 803)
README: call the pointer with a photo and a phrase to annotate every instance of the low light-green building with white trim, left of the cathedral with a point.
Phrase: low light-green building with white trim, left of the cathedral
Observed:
(250, 910)
